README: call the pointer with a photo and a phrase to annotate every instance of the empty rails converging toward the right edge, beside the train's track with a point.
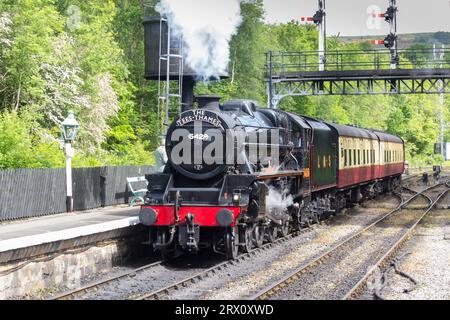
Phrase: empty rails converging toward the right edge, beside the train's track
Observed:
(306, 278)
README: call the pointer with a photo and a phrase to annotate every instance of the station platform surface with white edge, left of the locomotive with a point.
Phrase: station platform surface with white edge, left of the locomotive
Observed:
(25, 239)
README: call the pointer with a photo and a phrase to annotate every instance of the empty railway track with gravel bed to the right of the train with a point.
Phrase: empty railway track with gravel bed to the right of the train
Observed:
(338, 252)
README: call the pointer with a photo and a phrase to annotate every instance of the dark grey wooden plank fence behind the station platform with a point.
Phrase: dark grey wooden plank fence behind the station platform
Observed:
(26, 193)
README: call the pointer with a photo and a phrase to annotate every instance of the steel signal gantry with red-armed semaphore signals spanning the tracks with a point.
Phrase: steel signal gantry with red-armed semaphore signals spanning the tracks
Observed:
(353, 72)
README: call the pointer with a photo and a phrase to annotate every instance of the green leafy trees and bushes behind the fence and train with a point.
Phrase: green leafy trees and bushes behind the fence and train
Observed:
(87, 56)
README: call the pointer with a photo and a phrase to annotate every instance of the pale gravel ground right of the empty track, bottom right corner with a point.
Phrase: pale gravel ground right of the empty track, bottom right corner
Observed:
(426, 258)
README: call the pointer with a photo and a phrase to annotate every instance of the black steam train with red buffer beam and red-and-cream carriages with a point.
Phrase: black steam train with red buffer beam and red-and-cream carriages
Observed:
(238, 175)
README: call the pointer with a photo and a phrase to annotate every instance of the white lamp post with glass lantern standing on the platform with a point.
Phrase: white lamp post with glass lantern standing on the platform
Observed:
(69, 130)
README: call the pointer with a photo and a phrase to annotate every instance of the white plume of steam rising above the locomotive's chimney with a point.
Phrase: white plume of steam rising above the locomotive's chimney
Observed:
(207, 27)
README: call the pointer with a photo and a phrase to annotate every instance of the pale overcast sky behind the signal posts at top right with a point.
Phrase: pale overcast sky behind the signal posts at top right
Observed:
(350, 17)
